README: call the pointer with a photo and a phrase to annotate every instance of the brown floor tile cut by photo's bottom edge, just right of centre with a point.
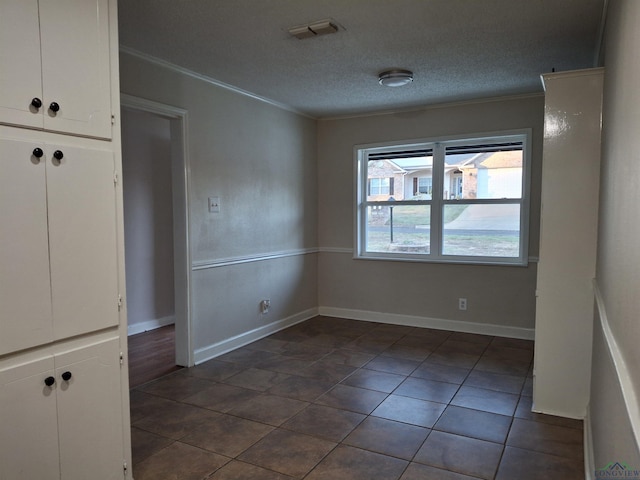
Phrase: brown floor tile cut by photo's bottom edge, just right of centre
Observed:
(348, 463)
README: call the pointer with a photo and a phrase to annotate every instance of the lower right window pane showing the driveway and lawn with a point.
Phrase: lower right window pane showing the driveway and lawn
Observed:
(481, 230)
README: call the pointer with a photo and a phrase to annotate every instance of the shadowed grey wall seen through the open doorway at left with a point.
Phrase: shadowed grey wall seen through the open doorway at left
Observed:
(148, 220)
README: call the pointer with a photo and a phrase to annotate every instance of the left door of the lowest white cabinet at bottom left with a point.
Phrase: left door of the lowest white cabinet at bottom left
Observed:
(28, 420)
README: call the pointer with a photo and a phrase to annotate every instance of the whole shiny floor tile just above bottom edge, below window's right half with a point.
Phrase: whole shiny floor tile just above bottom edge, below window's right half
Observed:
(469, 456)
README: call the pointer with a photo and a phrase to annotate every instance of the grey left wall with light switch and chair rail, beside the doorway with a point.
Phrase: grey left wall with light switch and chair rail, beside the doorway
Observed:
(260, 161)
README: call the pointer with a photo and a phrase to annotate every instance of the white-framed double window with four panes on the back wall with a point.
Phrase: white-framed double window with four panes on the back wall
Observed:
(452, 200)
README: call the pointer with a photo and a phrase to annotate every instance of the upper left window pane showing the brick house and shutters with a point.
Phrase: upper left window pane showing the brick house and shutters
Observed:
(405, 178)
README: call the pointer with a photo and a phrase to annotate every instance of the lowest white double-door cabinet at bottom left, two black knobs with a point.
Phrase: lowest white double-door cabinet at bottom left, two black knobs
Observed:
(61, 415)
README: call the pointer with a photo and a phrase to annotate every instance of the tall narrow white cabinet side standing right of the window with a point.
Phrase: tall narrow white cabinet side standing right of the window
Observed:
(568, 242)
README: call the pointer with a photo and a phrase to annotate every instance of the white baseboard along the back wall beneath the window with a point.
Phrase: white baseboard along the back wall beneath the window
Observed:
(428, 322)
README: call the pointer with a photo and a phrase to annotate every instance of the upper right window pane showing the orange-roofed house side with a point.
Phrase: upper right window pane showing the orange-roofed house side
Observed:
(483, 174)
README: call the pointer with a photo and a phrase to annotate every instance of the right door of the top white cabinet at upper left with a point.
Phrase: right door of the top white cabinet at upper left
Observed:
(76, 66)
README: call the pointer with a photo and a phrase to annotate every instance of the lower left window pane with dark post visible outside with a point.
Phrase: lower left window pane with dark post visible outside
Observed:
(401, 228)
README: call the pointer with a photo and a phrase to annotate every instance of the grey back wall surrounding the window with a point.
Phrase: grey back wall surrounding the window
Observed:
(421, 293)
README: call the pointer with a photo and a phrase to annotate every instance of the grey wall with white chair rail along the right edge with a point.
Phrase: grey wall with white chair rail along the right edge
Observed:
(615, 385)
